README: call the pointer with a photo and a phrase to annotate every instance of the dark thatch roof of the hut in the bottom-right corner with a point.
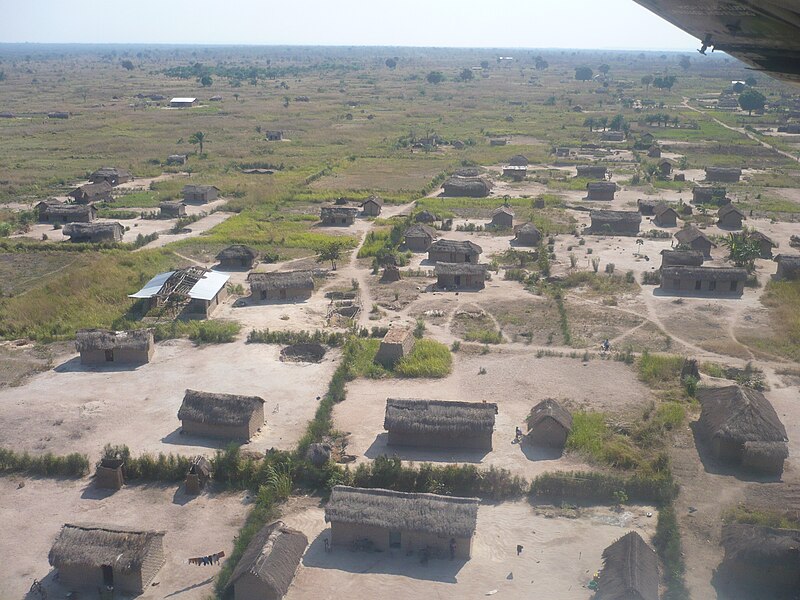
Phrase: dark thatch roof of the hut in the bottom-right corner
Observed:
(761, 546)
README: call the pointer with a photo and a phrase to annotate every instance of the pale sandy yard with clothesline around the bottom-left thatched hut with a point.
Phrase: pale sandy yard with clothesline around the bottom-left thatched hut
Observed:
(194, 526)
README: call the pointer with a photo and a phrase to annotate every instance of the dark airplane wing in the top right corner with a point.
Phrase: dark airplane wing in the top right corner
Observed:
(763, 33)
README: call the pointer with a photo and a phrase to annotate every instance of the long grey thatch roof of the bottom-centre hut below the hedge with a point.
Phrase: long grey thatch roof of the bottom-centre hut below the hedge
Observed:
(444, 515)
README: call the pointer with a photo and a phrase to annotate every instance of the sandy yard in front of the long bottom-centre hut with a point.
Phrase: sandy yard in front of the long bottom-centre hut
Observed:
(559, 558)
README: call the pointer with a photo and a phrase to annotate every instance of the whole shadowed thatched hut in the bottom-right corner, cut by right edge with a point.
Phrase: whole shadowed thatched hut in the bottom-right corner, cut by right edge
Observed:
(760, 560)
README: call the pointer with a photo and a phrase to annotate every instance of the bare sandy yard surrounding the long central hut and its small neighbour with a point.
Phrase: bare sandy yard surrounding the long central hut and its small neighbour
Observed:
(514, 380)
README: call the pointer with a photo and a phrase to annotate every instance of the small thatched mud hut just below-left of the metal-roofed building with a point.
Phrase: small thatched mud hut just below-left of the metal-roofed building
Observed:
(100, 346)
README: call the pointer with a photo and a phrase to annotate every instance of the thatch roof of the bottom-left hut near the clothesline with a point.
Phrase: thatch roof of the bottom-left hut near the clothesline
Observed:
(95, 545)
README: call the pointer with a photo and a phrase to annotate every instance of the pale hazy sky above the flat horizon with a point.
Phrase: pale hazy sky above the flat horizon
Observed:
(450, 23)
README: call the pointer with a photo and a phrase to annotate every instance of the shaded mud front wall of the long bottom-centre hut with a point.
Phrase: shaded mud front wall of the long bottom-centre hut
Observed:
(344, 534)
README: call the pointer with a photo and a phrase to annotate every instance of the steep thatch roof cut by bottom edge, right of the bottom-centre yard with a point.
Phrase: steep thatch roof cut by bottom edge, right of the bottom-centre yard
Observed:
(630, 570)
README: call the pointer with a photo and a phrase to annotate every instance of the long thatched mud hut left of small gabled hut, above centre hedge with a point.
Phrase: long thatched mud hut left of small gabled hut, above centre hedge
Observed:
(440, 424)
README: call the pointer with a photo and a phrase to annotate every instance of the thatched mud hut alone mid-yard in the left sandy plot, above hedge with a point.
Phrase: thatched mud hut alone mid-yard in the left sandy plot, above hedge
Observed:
(227, 416)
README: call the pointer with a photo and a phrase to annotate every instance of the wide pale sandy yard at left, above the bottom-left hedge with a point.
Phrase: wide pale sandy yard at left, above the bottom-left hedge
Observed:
(78, 409)
